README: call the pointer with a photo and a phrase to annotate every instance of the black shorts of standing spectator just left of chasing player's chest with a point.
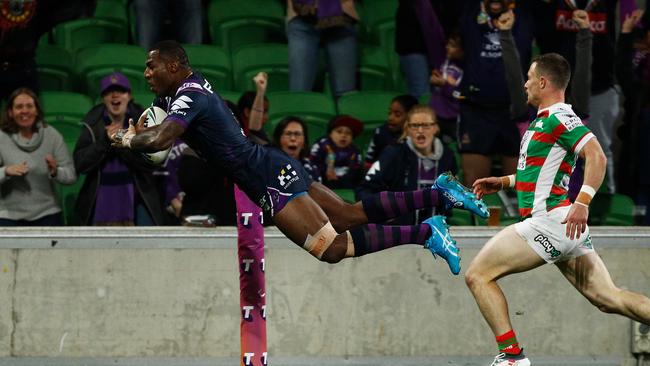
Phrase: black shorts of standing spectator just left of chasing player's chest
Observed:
(487, 131)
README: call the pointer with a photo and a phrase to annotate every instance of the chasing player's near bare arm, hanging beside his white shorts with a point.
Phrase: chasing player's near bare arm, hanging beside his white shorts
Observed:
(595, 165)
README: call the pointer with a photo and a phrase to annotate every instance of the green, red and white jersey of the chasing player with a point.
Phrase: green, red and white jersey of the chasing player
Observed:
(547, 156)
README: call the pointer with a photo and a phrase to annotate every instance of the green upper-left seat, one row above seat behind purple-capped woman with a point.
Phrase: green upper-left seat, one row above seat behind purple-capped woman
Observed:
(80, 33)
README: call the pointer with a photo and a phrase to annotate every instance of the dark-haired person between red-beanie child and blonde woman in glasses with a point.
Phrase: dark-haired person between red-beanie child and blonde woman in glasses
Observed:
(390, 132)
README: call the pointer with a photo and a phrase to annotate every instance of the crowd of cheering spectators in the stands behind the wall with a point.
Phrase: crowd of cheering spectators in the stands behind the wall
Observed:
(466, 58)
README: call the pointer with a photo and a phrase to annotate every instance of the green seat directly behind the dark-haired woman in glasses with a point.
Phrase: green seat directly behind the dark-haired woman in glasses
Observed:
(316, 109)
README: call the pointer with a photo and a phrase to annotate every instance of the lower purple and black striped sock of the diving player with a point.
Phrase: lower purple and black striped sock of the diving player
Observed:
(373, 238)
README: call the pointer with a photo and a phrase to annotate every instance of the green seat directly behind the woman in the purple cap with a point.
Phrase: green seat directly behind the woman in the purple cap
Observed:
(95, 62)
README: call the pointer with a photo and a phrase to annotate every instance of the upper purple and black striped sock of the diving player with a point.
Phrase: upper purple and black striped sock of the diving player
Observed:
(387, 205)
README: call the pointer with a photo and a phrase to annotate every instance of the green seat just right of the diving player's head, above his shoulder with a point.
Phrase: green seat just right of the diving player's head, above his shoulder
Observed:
(213, 62)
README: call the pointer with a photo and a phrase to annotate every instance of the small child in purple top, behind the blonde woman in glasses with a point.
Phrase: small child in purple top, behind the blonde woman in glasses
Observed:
(445, 91)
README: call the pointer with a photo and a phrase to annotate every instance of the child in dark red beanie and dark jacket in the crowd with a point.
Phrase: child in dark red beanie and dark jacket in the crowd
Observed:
(336, 158)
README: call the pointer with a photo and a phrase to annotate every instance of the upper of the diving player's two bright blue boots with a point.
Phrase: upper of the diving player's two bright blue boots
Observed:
(455, 195)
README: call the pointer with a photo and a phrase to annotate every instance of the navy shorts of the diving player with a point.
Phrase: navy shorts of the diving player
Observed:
(285, 179)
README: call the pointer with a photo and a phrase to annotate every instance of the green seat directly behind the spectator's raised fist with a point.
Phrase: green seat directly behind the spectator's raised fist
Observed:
(271, 58)
